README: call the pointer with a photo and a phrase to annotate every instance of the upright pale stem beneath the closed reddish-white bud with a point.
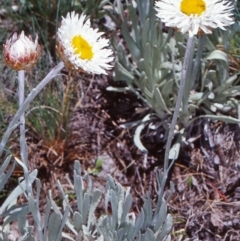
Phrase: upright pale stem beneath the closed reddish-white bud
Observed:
(23, 145)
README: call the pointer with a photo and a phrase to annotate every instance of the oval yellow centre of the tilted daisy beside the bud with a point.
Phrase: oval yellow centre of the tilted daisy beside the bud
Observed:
(82, 47)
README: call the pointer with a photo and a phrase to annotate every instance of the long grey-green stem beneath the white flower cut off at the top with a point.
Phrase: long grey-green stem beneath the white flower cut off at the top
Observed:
(186, 65)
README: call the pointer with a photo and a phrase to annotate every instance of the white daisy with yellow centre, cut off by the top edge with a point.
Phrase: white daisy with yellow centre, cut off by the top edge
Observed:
(195, 16)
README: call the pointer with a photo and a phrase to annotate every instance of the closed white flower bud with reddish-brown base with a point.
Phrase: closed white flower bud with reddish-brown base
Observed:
(21, 52)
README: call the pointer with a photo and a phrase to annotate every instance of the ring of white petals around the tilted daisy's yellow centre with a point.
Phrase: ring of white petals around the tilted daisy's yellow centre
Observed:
(75, 25)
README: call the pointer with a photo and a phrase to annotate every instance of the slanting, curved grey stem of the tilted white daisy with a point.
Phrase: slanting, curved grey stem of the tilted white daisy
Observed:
(13, 124)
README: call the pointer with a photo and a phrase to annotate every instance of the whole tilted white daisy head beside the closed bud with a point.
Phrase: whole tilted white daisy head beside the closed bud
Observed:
(81, 47)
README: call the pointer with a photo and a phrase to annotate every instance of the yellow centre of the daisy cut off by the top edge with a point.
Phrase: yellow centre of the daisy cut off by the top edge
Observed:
(195, 7)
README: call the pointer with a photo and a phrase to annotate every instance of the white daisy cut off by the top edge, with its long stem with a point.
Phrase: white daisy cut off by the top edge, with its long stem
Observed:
(193, 17)
